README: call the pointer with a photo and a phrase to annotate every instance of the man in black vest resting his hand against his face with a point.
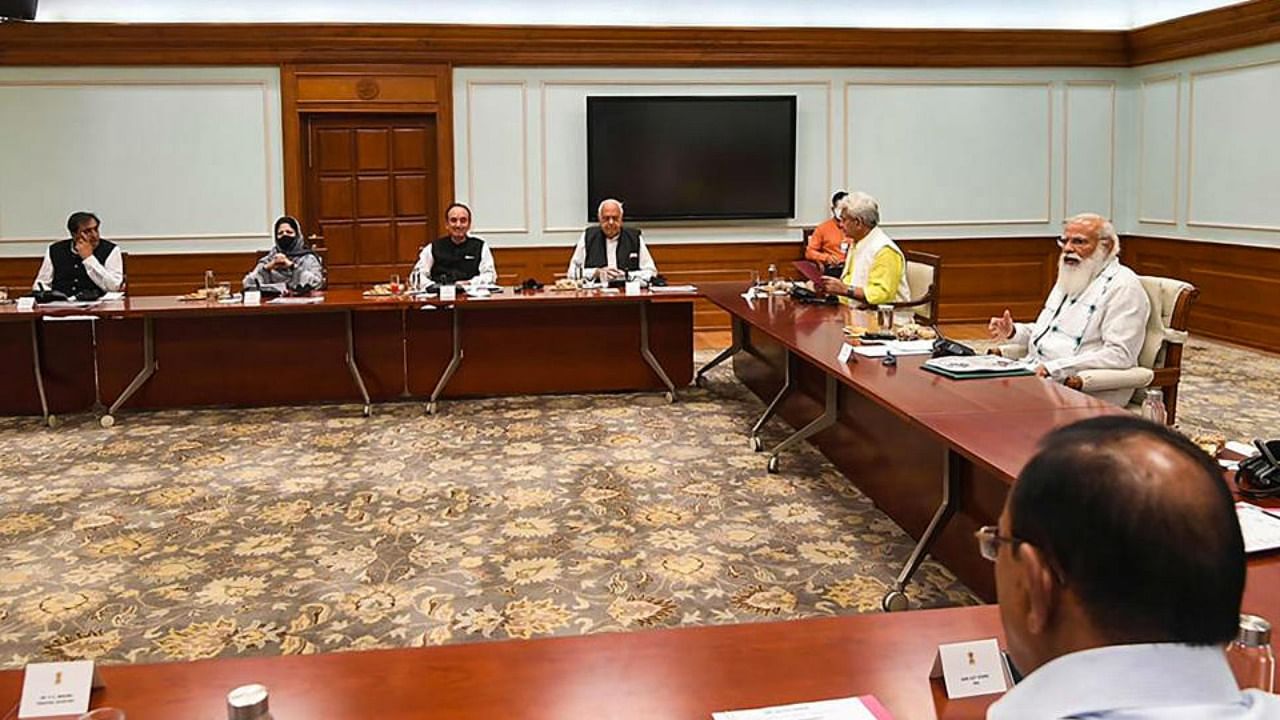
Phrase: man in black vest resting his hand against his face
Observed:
(83, 266)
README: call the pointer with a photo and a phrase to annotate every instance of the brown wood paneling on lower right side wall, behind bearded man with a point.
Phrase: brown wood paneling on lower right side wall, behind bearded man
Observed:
(1240, 286)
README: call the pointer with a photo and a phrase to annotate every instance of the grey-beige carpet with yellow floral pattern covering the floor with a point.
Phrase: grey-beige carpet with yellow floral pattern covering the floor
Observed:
(213, 534)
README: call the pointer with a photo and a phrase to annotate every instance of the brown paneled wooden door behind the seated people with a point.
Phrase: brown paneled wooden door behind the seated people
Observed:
(372, 193)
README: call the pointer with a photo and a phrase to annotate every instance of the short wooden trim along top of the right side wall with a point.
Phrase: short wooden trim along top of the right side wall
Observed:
(1214, 31)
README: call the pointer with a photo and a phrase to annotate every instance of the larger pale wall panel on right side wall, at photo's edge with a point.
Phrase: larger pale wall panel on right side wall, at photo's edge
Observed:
(1235, 149)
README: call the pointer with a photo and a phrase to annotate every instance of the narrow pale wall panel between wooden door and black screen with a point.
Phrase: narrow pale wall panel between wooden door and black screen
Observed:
(496, 168)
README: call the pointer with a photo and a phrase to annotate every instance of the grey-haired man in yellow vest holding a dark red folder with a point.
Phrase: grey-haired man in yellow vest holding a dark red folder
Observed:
(875, 271)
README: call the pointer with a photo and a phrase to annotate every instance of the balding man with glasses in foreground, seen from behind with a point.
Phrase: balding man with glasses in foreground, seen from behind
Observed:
(1119, 571)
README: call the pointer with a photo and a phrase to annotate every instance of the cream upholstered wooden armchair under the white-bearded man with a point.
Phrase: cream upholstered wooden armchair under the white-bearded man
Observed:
(1162, 357)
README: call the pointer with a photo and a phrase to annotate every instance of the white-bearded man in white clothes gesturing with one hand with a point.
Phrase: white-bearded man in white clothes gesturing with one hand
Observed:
(1095, 317)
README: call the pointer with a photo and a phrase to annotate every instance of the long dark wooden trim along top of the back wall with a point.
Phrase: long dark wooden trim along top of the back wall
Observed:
(275, 44)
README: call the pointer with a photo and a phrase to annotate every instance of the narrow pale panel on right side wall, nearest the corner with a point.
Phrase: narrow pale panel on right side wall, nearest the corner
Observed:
(1159, 158)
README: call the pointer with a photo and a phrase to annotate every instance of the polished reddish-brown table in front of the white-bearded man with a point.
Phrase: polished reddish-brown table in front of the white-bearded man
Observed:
(938, 455)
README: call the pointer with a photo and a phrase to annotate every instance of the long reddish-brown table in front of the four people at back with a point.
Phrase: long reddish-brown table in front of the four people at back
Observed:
(153, 353)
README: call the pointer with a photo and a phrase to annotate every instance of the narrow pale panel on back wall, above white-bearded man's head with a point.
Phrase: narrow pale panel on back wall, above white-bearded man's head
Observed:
(1089, 175)
